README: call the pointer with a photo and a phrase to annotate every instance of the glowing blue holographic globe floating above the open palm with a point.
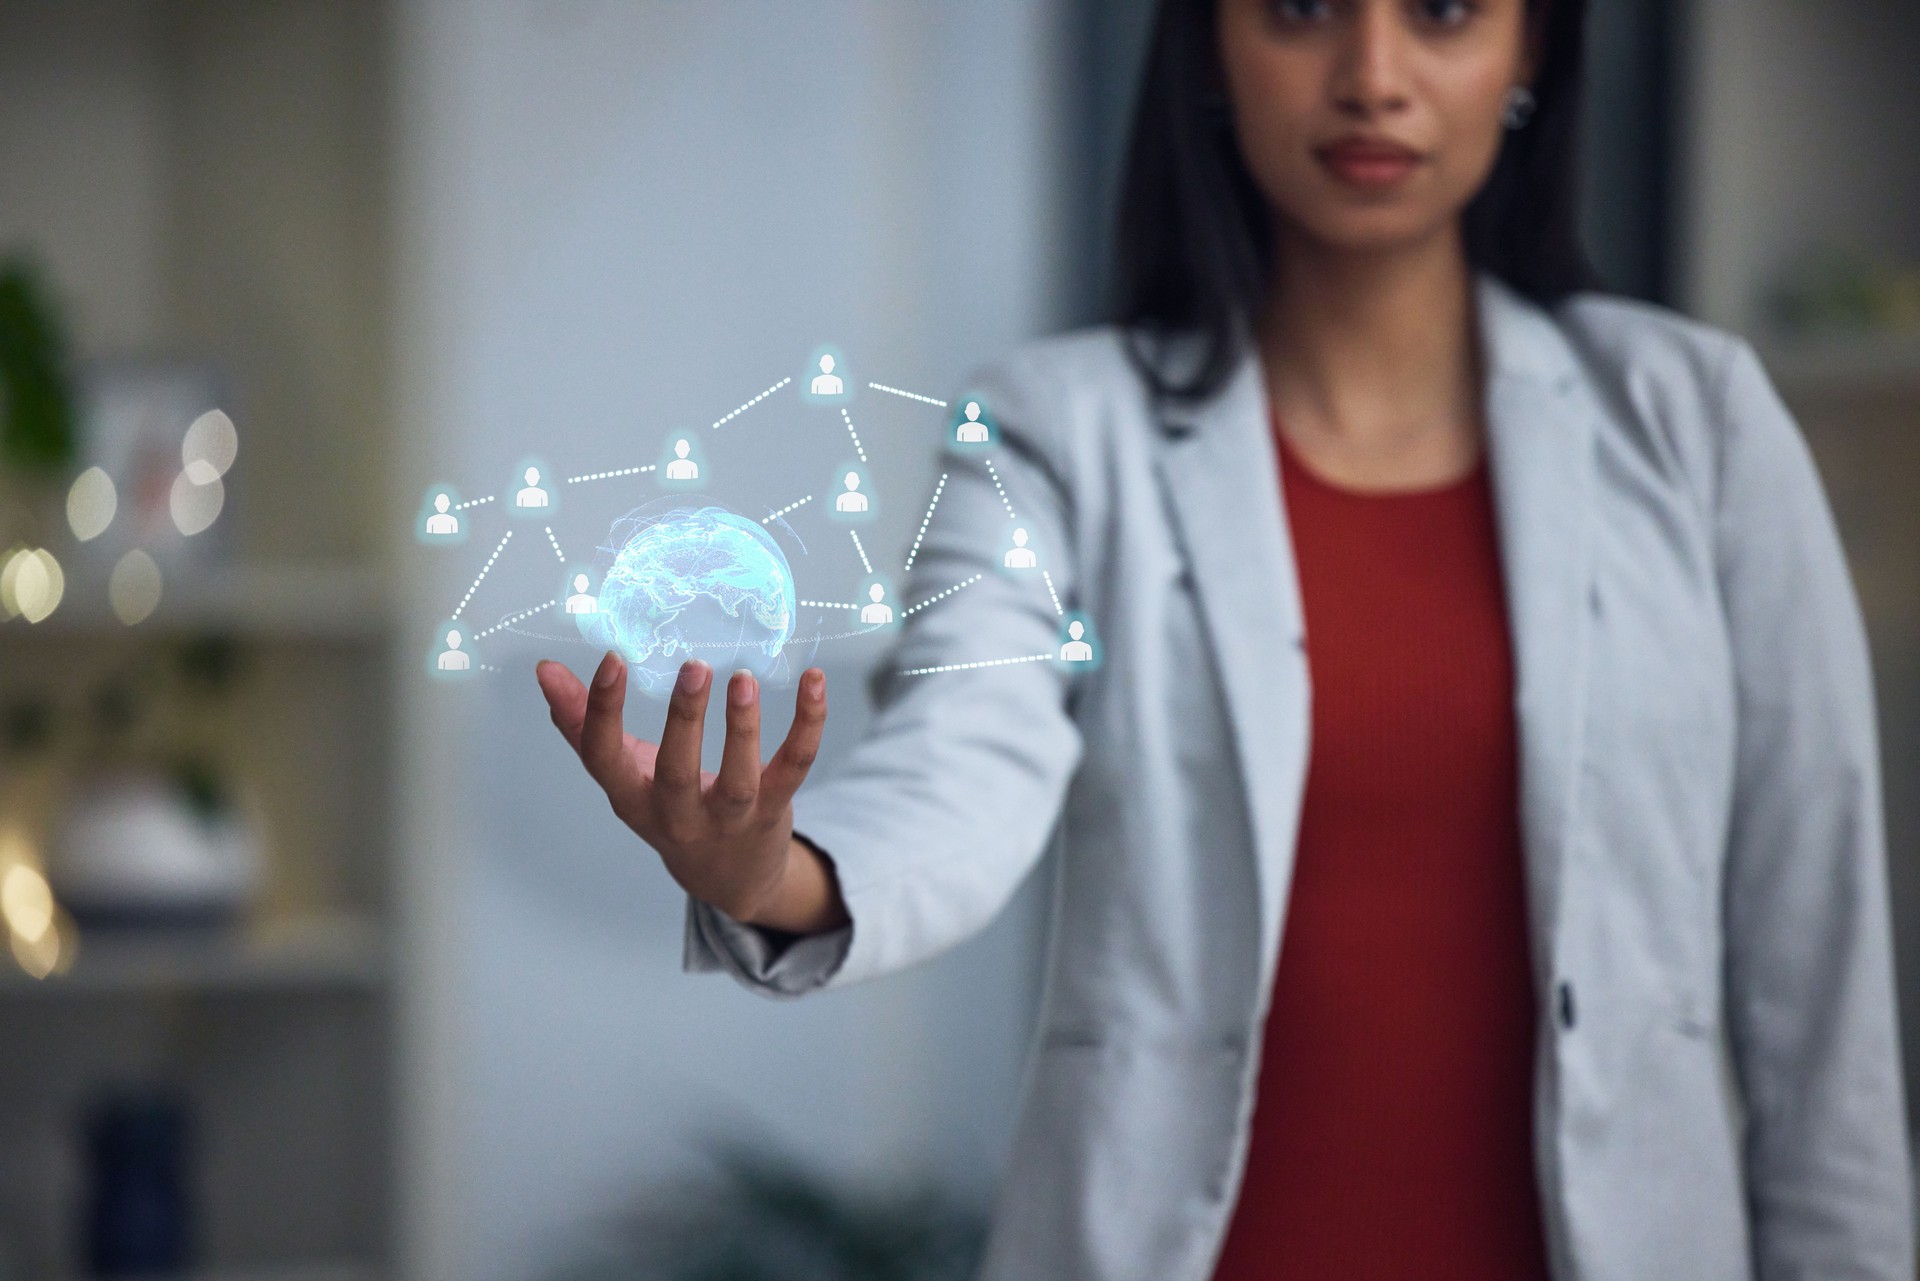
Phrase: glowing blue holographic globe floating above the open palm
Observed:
(694, 585)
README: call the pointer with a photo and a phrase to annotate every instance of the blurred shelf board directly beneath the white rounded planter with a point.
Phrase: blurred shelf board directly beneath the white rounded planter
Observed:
(318, 955)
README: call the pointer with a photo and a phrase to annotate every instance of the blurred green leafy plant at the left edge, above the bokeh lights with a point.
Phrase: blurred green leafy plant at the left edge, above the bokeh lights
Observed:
(36, 391)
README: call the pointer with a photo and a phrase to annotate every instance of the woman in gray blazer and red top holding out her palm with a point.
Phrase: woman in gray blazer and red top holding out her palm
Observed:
(1489, 635)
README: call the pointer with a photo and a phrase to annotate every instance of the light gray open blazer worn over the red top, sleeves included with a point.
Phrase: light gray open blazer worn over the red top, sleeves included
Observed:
(1717, 1086)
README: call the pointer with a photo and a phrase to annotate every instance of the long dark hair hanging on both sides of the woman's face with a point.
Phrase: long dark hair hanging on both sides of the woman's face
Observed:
(1193, 241)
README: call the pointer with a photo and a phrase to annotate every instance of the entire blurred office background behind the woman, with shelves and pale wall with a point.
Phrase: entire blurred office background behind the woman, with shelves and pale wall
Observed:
(398, 998)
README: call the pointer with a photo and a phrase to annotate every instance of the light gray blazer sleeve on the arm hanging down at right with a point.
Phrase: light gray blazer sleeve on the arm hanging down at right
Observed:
(1810, 971)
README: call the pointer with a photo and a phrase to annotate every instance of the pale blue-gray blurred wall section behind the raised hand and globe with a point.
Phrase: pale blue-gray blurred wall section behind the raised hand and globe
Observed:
(619, 220)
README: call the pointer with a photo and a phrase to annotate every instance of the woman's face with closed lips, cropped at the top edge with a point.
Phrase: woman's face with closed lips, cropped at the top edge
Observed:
(1370, 124)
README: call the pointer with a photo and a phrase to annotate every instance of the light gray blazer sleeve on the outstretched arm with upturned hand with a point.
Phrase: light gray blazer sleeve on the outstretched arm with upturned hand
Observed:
(951, 798)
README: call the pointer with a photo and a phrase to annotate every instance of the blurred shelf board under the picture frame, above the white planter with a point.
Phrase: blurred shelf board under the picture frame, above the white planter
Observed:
(293, 602)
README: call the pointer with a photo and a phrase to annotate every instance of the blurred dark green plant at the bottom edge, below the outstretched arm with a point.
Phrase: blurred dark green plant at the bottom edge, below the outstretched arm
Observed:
(763, 1217)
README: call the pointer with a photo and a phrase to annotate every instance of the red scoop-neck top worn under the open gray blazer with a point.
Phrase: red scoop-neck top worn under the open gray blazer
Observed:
(1393, 1128)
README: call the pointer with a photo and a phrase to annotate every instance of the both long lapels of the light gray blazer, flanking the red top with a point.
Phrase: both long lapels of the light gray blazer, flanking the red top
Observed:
(1222, 483)
